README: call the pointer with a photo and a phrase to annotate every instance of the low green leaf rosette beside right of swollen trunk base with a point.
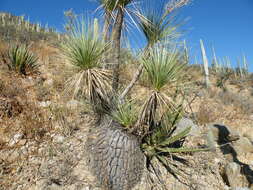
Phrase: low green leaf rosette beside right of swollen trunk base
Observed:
(163, 142)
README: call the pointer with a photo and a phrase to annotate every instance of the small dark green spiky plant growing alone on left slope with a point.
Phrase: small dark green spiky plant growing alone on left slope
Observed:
(20, 59)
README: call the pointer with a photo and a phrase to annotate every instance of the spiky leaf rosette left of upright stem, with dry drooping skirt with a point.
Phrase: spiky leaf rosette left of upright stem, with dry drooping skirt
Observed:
(84, 49)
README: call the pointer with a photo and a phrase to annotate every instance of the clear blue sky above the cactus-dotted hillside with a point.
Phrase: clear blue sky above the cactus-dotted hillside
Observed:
(225, 24)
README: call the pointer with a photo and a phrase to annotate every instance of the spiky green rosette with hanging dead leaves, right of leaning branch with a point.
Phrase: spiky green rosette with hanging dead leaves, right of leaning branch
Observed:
(162, 68)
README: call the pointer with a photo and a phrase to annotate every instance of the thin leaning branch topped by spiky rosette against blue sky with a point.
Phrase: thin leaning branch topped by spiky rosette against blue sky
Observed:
(157, 27)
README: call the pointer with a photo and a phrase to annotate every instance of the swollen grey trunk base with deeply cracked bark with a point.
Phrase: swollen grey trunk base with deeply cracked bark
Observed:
(115, 157)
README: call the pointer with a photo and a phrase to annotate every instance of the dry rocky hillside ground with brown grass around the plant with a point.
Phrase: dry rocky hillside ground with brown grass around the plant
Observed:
(45, 133)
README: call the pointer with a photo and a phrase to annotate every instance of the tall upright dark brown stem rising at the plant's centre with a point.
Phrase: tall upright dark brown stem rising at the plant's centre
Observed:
(116, 35)
